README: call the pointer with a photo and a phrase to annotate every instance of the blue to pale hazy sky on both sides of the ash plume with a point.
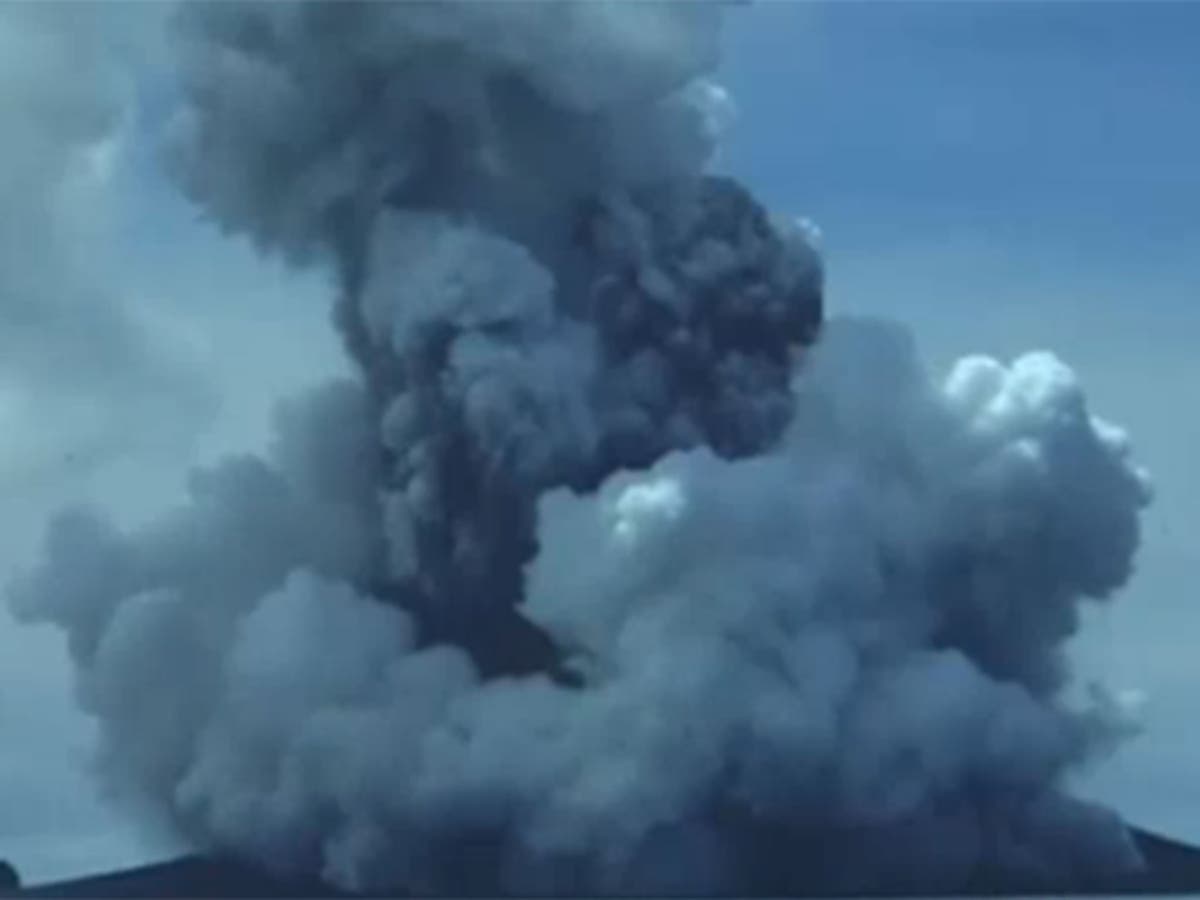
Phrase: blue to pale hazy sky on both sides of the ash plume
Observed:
(1000, 176)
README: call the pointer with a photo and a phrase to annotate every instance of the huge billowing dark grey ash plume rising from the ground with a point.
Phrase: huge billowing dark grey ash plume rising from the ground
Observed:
(609, 574)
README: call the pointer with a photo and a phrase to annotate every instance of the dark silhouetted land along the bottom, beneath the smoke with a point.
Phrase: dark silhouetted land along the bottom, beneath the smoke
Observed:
(1173, 868)
